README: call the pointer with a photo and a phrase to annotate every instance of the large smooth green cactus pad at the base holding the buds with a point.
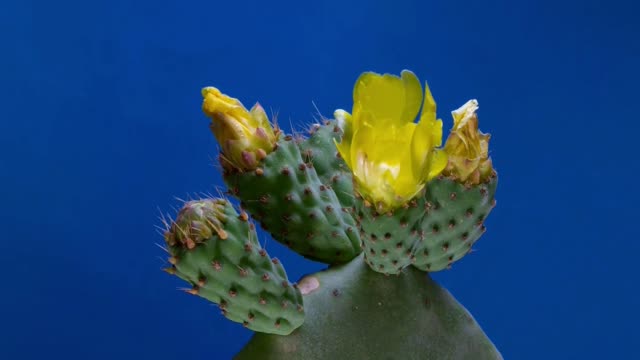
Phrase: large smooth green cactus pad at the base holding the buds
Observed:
(357, 314)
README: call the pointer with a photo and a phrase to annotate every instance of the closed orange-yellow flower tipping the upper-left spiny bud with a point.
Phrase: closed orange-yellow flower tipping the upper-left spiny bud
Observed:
(245, 137)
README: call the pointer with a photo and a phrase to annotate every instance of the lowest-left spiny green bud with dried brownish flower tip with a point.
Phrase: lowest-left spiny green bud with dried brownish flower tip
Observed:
(216, 250)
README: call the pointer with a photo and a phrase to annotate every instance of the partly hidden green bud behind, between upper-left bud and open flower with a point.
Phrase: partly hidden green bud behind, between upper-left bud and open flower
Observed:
(320, 149)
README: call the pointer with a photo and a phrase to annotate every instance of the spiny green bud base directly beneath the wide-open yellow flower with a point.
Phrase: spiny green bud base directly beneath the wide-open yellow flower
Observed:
(388, 240)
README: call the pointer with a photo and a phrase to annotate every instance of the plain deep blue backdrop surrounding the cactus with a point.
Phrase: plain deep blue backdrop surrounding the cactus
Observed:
(100, 128)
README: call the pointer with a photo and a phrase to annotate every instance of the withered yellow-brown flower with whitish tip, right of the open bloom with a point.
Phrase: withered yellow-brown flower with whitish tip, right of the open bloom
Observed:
(467, 147)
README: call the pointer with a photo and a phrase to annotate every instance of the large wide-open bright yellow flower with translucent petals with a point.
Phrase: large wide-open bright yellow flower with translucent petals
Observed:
(391, 156)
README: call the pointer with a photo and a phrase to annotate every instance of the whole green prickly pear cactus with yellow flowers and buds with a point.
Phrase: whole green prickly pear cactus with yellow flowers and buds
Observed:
(371, 193)
